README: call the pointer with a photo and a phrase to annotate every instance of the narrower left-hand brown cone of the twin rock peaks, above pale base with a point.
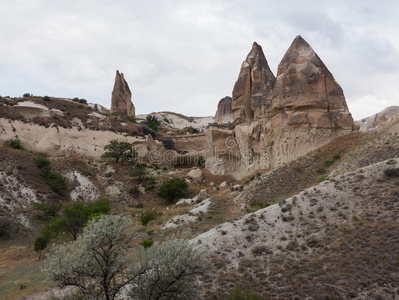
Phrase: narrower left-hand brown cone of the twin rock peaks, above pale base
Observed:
(252, 91)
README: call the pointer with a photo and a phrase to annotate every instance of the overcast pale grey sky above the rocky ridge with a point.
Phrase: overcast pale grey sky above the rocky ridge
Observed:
(184, 56)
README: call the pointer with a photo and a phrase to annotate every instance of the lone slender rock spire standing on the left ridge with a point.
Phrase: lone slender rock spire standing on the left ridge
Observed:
(121, 101)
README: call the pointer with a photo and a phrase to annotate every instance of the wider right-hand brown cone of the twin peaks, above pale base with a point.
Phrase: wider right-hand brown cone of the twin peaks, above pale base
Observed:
(306, 94)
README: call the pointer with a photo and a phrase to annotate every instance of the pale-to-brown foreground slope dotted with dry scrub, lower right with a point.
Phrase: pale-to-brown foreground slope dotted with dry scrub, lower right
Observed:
(338, 238)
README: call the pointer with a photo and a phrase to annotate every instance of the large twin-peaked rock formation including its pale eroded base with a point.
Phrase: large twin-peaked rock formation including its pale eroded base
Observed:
(278, 119)
